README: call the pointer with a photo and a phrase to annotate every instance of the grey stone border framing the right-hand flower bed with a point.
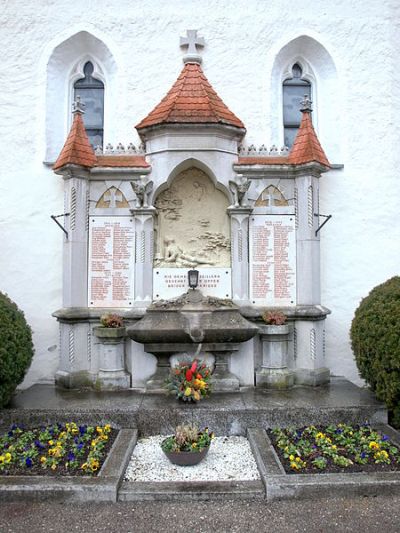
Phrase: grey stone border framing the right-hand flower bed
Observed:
(281, 486)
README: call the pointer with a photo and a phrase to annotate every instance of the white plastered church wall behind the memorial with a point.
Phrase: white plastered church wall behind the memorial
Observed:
(360, 245)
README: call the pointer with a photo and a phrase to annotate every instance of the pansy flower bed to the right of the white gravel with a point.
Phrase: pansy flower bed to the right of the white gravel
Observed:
(335, 448)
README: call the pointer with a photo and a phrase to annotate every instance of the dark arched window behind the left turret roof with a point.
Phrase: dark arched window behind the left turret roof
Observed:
(91, 91)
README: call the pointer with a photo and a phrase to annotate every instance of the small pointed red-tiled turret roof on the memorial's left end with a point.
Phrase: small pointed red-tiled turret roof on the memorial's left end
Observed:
(77, 149)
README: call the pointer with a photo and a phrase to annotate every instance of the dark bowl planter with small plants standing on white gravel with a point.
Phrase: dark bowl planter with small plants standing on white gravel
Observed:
(188, 446)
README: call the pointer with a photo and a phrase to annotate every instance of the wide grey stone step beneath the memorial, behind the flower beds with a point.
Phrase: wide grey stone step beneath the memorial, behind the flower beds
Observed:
(224, 413)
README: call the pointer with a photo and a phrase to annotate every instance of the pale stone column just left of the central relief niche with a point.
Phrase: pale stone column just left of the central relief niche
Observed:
(144, 231)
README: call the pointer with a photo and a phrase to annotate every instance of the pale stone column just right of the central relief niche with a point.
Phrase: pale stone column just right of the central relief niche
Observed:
(240, 253)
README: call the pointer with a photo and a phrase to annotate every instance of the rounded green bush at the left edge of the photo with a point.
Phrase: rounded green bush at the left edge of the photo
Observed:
(16, 348)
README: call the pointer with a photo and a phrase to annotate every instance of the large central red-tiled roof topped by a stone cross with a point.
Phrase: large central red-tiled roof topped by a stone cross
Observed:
(191, 100)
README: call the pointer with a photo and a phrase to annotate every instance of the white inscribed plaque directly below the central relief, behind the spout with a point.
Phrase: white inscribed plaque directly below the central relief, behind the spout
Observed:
(172, 282)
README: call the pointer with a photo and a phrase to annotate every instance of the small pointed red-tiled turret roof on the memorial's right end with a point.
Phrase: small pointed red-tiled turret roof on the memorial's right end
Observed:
(306, 147)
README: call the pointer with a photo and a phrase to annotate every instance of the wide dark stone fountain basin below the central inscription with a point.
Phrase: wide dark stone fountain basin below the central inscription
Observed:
(196, 319)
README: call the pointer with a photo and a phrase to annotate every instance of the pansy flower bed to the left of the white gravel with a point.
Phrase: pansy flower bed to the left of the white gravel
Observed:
(60, 449)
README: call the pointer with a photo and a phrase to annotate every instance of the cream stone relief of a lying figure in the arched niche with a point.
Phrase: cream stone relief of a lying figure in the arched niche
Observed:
(193, 226)
